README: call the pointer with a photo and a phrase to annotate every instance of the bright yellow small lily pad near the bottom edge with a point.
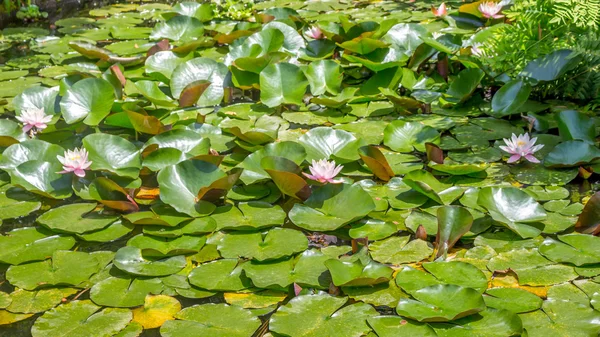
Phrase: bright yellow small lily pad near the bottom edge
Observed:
(157, 310)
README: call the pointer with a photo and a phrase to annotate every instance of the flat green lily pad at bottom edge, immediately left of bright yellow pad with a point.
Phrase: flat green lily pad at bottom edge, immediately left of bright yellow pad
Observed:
(84, 317)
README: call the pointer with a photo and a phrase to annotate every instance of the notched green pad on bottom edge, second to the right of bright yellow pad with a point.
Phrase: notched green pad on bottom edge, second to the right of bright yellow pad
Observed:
(321, 315)
